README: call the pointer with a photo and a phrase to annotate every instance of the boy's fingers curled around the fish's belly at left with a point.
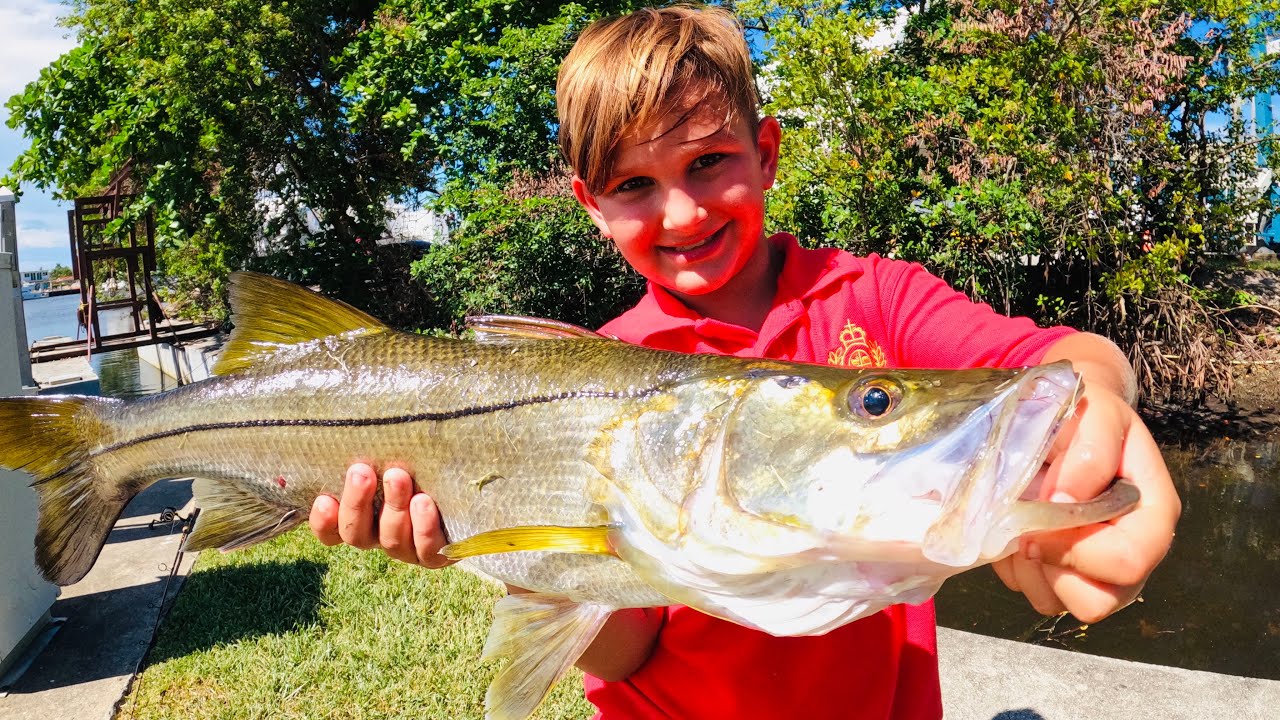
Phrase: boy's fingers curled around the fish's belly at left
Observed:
(409, 528)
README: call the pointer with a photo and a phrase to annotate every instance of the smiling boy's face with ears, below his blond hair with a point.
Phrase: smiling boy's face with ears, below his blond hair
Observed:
(685, 203)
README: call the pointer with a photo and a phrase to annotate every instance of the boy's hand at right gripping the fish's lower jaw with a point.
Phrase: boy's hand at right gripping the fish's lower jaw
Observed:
(1095, 571)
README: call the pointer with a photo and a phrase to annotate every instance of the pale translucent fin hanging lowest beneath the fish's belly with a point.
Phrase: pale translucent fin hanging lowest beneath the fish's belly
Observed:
(542, 636)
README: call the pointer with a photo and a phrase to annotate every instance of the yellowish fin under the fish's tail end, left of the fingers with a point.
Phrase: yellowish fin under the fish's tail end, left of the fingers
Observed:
(232, 518)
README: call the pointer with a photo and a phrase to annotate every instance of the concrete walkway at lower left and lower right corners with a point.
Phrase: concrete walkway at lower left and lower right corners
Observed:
(85, 671)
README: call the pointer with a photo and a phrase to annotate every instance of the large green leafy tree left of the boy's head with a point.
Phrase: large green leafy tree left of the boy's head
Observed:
(273, 135)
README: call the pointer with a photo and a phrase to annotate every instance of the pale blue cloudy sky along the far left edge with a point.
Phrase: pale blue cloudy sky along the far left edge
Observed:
(31, 39)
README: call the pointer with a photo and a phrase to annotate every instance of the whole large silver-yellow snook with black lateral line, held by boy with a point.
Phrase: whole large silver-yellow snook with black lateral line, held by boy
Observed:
(787, 498)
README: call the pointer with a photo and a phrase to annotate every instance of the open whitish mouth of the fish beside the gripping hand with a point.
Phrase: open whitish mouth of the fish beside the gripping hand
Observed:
(1000, 452)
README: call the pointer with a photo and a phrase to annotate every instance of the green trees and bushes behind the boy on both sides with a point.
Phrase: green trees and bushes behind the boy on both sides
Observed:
(1081, 163)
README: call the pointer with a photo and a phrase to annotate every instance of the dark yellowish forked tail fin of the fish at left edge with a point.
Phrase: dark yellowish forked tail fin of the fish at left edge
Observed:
(52, 439)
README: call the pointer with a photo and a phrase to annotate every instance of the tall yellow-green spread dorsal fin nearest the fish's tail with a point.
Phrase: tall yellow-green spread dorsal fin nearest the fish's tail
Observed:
(271, 315)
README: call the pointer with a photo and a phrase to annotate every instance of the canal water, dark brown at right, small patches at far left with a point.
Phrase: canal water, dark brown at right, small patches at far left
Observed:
(1214, 604)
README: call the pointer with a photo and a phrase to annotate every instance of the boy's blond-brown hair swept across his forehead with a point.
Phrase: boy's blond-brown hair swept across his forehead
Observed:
(627, 72)
